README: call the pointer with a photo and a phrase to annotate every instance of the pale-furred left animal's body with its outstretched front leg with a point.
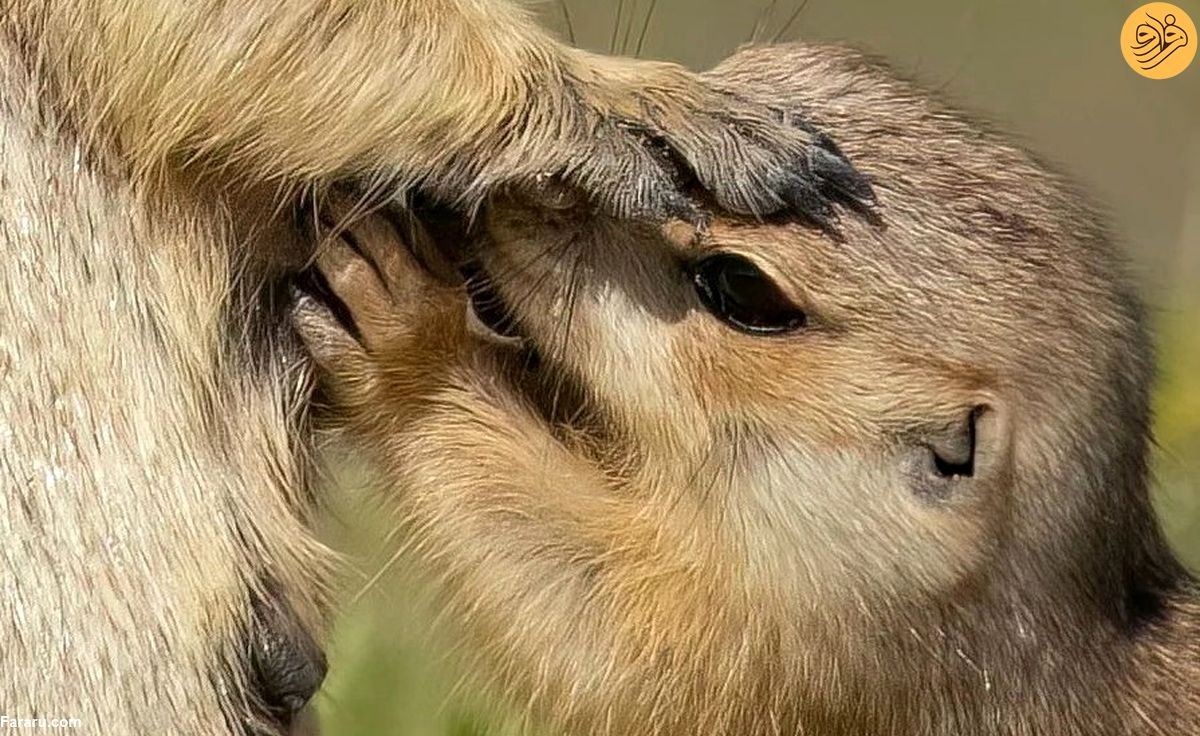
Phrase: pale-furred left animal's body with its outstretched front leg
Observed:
(153, 404)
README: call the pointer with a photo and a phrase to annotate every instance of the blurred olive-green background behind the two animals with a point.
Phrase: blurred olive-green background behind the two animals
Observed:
(1049, 73)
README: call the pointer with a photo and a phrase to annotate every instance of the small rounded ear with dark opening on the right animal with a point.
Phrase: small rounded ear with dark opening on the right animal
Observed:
(958, 457)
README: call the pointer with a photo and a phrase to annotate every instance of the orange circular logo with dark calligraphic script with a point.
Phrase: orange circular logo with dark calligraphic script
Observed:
(1159, 40)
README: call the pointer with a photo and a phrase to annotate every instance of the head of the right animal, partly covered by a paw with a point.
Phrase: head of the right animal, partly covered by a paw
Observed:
(905, 406)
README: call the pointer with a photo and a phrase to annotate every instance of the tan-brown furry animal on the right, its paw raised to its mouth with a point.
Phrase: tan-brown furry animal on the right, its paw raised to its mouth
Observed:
(676, 529)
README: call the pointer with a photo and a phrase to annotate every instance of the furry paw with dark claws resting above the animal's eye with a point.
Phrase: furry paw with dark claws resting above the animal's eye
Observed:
(647, 135)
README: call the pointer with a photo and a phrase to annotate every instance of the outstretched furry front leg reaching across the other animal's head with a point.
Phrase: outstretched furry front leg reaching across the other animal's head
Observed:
(457, 97)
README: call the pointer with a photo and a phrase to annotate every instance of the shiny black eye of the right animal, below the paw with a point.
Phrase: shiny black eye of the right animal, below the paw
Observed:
(735, 291)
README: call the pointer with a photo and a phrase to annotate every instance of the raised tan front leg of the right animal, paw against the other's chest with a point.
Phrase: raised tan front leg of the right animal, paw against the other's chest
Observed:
(603, 608)
